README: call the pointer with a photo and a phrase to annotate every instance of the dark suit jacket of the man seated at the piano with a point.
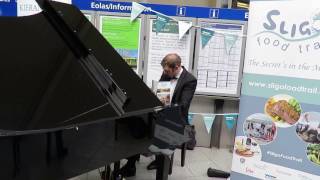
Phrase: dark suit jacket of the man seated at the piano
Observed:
(183, 92)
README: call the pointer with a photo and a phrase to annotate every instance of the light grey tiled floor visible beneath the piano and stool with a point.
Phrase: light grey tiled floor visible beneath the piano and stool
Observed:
(197, 163)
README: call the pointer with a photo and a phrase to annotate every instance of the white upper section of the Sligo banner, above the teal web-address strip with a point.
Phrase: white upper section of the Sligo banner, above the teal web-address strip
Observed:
(289, 32)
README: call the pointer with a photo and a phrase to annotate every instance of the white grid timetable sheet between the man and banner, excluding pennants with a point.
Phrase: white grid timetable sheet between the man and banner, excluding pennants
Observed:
(218, 69)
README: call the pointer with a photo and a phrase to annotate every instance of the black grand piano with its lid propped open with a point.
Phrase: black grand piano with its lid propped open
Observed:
(69, 104)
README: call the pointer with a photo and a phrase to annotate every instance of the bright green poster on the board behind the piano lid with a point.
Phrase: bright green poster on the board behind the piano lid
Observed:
(124, 36)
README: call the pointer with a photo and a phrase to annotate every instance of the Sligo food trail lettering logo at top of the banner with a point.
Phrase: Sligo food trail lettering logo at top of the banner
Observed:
(279, 33)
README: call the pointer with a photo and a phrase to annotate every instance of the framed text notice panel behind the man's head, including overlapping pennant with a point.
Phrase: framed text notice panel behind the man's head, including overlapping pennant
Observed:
(162, 38)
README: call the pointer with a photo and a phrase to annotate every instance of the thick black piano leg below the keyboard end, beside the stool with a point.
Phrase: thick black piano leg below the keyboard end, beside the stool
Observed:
(163, 168)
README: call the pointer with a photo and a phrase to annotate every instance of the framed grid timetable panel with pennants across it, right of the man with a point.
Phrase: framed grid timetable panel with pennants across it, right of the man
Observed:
(219, 57)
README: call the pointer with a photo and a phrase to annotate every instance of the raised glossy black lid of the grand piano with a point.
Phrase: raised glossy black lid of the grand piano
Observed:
(58, 71)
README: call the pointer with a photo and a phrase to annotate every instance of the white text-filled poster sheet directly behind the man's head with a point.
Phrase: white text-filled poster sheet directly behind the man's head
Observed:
(164, 42)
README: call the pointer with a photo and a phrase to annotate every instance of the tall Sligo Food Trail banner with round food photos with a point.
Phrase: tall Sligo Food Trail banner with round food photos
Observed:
(278, 131)
